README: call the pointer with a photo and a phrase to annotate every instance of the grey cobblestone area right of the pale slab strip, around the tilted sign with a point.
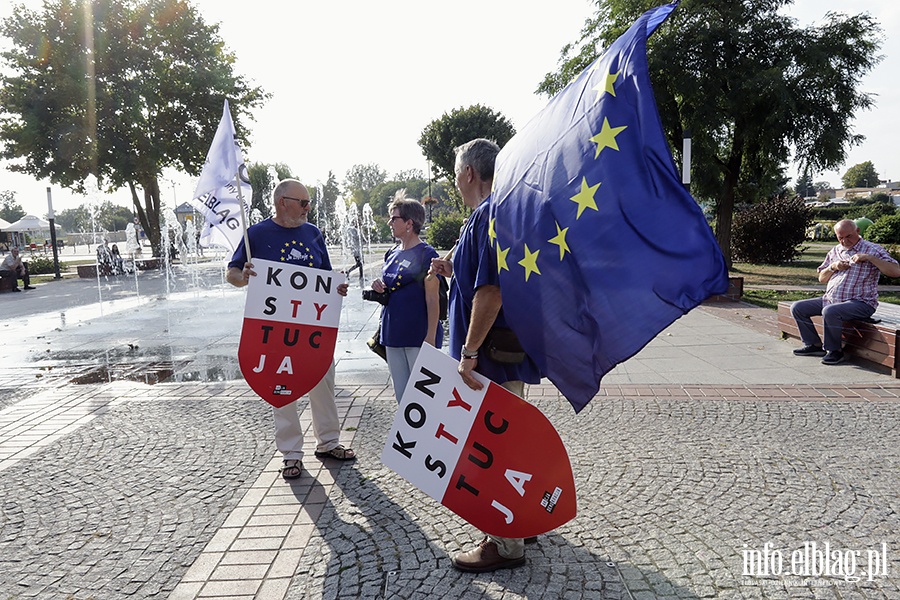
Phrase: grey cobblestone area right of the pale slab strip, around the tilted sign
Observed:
(674, 486)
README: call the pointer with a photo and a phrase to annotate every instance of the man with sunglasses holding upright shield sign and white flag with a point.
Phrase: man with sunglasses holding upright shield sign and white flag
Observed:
(288, 237)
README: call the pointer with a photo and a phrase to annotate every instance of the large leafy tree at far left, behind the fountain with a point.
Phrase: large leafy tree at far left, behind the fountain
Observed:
(120, 89)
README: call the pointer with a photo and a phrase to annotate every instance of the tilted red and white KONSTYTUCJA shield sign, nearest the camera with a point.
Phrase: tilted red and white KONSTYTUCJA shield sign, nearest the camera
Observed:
(488, 456)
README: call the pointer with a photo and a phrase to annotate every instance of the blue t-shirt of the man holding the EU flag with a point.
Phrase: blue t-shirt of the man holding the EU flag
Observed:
(474, 265)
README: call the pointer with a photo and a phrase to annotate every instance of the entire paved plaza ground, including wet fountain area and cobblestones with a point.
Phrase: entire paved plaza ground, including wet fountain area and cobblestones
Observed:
(713, 446)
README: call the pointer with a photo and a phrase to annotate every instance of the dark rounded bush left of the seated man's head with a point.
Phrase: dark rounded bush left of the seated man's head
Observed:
(771, 232)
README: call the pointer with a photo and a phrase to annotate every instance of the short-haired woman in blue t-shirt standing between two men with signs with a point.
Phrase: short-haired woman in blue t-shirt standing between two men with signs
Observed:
(411, 314)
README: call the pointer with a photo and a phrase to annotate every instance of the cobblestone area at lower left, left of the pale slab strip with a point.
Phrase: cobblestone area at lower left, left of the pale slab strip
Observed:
(120, 507)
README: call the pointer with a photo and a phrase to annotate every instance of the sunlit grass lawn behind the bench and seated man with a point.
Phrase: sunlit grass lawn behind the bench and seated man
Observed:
(799, 272)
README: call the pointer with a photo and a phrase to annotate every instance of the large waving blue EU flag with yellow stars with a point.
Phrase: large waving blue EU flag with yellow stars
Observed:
(598, 244)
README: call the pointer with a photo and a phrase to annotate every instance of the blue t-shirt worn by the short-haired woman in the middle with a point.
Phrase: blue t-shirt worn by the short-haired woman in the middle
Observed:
(404, 321)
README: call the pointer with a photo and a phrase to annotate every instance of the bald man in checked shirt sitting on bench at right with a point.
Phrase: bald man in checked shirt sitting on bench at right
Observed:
(851, 270)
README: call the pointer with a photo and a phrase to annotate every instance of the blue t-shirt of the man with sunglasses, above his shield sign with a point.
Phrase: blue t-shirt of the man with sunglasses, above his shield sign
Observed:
(302, 245)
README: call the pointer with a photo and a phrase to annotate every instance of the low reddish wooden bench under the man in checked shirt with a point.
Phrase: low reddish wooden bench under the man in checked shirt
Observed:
(875, 343)
